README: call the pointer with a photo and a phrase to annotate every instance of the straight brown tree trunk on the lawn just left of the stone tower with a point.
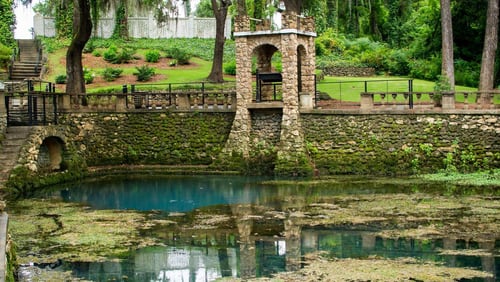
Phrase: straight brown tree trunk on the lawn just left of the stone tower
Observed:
(220, 13)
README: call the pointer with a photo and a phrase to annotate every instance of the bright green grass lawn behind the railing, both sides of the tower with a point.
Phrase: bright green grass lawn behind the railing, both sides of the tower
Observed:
(339, 88)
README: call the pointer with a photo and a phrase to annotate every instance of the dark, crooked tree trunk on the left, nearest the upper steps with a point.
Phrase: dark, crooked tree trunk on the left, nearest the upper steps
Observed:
(82, 29)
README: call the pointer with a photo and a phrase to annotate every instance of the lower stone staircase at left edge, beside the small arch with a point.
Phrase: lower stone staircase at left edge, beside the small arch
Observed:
(10, 148)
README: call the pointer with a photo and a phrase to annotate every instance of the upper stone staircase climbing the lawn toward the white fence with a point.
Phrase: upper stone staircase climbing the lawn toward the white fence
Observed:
(29, 64)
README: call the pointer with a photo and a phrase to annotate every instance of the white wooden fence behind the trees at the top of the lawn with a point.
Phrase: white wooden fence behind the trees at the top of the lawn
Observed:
(144, 27)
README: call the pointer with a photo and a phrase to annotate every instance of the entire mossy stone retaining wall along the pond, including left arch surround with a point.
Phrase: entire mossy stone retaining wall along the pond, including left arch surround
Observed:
(337, 143)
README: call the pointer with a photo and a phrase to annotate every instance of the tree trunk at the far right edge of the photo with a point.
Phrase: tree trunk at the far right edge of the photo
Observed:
(487, 76)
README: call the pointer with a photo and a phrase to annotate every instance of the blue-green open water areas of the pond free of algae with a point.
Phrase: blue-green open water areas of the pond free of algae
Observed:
(205, 255)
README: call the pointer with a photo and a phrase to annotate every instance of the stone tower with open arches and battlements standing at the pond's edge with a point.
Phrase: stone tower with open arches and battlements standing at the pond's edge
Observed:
(295, 41)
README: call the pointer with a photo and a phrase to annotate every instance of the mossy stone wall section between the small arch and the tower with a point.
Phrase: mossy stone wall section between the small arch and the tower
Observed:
(153, 138)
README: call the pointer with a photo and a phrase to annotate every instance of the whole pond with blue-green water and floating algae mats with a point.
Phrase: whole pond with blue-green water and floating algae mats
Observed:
(203, 228)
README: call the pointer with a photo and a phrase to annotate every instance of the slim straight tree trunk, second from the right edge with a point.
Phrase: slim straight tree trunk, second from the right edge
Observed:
(447, 68)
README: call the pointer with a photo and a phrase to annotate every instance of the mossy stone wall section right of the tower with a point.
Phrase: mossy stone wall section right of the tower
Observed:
(402, 144)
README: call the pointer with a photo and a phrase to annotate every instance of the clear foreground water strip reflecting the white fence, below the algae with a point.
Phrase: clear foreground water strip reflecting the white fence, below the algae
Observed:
(267, 255)
